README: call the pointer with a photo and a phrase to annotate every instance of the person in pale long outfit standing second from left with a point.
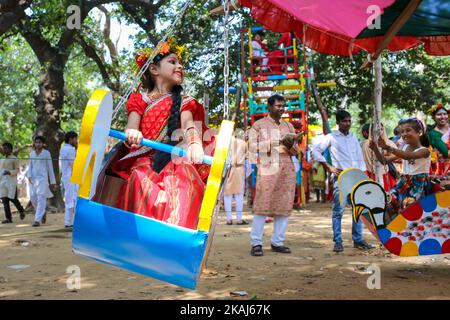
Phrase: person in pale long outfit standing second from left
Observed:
(39, 173)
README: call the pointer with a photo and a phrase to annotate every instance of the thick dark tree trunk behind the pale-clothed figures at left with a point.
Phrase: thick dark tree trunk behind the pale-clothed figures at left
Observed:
(49, 102)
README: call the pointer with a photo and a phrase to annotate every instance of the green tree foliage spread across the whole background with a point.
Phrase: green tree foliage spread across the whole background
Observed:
(412, 80)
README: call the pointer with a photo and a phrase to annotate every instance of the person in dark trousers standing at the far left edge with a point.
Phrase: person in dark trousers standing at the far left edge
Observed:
(9, 166)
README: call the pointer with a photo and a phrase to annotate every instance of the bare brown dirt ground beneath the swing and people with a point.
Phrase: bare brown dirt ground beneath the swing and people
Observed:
(34, 262)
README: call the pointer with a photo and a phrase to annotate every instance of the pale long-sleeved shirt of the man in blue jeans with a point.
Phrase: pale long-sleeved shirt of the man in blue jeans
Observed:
(345, 151)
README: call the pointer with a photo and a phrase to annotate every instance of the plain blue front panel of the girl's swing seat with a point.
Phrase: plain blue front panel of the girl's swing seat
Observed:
(126, 240)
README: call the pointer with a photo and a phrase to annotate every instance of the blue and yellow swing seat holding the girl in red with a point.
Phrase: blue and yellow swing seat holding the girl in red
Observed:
(130, 241)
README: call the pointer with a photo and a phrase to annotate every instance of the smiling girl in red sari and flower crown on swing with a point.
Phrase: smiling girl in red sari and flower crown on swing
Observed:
(157, 186)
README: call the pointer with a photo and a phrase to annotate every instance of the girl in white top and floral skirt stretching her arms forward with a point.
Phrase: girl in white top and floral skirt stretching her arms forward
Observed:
(416, 164)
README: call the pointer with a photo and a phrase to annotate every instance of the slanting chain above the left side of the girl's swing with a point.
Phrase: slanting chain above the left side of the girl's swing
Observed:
(137, 78)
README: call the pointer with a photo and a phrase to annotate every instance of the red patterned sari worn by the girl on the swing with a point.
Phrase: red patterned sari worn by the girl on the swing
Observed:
(175, 194)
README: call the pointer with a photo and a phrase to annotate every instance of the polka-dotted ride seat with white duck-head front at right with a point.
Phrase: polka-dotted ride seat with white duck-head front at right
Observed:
(422, 228)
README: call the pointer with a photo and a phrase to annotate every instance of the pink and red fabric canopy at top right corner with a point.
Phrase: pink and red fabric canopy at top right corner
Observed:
(340, 27)
